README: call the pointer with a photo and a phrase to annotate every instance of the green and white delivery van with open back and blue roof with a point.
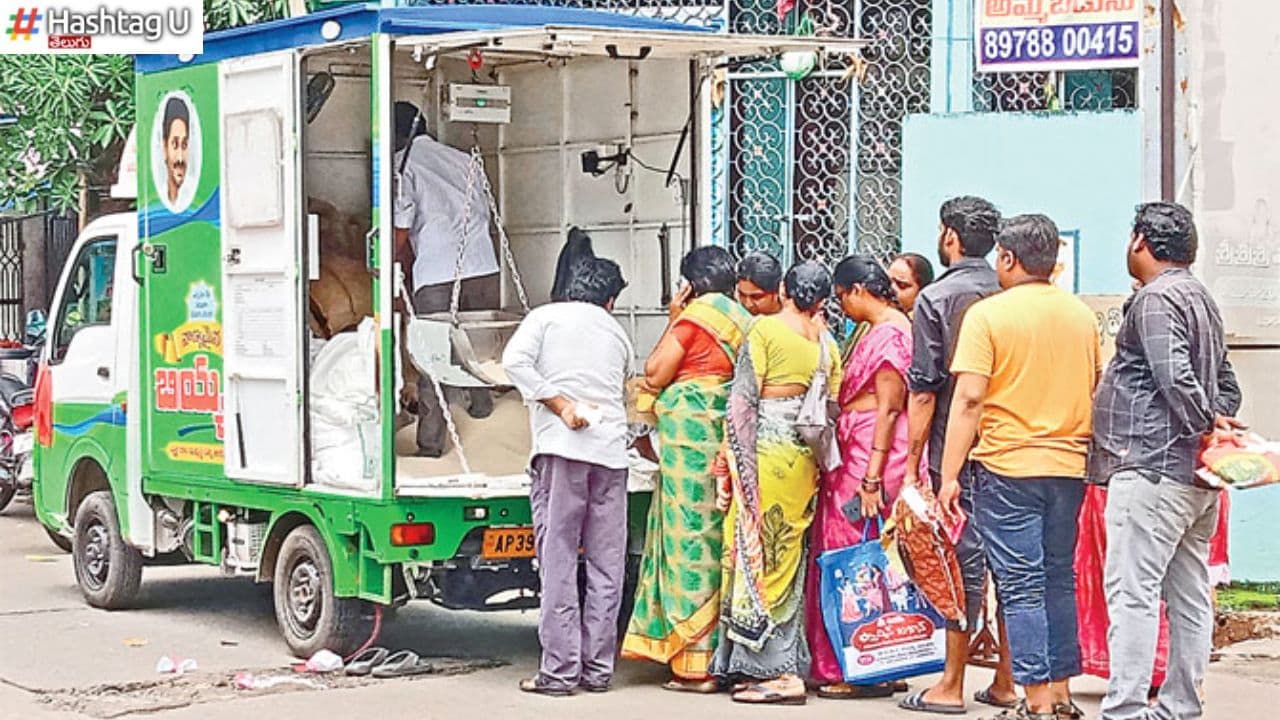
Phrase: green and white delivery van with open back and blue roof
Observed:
(180, 411)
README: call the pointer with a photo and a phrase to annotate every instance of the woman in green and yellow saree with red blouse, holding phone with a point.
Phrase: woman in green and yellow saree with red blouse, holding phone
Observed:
(678, 599)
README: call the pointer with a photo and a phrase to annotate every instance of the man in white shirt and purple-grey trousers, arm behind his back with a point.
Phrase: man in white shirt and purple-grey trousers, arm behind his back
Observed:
(570, 362)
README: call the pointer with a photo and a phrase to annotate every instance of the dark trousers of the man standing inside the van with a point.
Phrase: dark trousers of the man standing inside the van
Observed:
(478, 294)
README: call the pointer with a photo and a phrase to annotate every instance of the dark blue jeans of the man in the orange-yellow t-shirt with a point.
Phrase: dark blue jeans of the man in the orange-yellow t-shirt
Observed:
(1028, 527)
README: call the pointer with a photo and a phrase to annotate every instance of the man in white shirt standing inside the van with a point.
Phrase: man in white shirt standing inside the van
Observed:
(435, 225)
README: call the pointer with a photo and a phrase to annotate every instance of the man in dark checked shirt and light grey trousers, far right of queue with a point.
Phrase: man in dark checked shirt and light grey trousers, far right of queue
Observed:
(1168, 388)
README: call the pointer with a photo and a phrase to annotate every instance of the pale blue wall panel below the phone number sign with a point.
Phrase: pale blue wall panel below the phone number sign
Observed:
(1082, 170)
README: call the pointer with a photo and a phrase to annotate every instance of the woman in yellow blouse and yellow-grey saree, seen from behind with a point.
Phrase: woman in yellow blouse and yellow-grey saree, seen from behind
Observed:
(772, 480)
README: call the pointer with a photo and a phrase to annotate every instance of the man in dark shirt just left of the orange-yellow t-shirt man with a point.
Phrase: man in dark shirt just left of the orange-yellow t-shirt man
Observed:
(967, 235)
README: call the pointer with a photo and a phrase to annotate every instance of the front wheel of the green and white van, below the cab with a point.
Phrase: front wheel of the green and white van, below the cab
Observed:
(109, 572)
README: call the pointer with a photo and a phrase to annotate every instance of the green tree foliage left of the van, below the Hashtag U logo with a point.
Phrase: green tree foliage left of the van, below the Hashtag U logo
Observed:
(74, 116)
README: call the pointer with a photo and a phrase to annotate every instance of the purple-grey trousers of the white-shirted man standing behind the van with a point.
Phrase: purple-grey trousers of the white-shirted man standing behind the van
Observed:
(579, 505)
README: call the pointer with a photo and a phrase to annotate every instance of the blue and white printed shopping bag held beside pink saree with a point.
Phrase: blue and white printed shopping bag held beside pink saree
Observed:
(880, 625)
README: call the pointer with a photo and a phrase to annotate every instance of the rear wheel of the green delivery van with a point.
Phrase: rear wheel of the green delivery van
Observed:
(310, 616)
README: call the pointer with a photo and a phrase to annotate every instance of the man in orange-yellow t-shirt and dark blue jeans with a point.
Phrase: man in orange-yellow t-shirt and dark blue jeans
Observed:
(1026, 364)
